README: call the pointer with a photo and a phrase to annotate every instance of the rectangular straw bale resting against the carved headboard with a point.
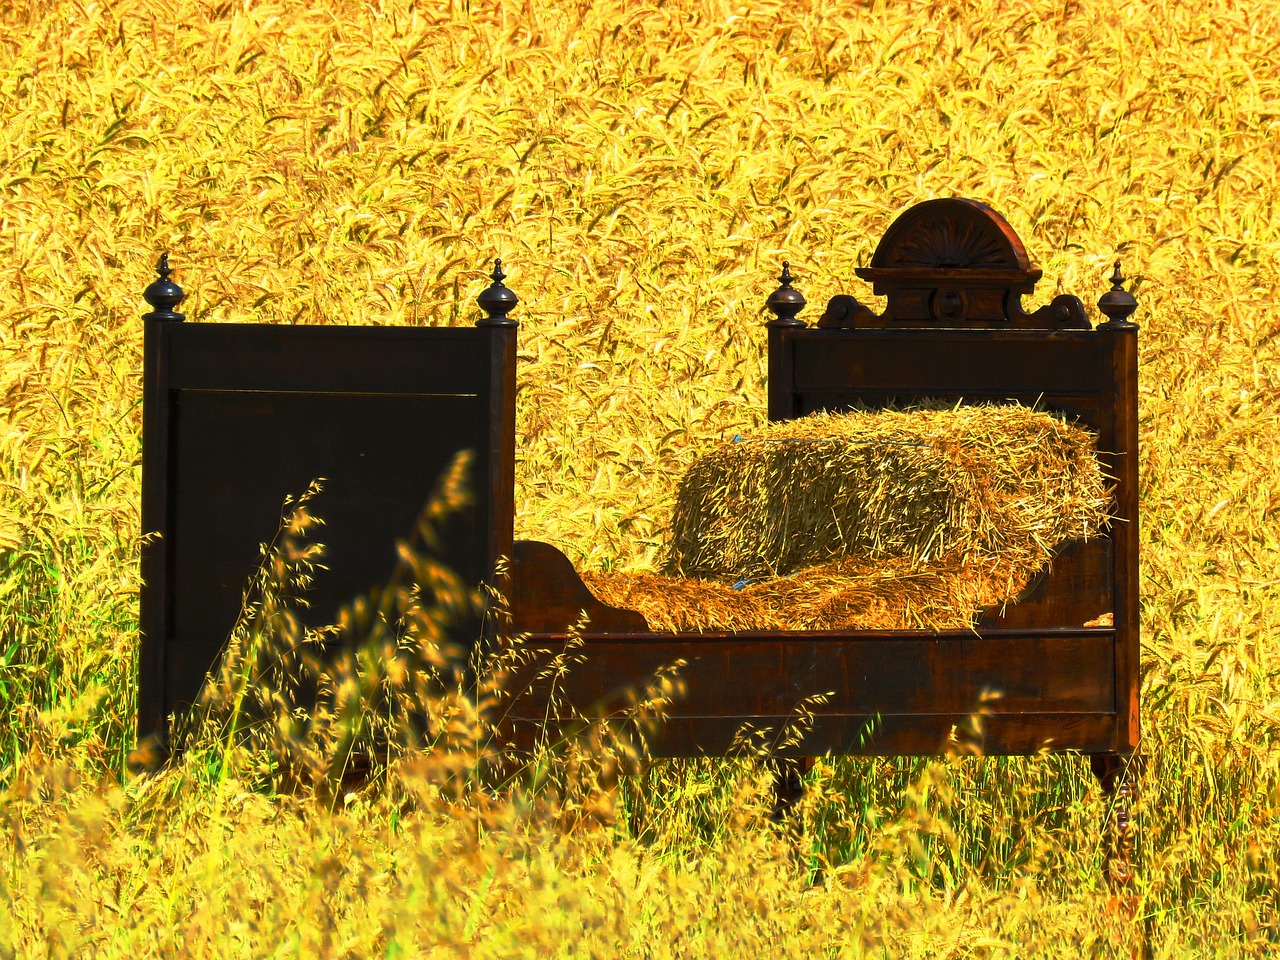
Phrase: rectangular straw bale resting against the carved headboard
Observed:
(952, 486)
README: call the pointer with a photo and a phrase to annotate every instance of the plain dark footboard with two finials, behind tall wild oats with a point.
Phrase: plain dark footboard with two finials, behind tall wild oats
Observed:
(240, 417)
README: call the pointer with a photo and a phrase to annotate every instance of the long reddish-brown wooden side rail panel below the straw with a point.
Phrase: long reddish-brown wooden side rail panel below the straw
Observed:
(776, 676)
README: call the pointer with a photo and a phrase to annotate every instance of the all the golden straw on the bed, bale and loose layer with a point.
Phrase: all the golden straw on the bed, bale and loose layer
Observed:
(870, 520)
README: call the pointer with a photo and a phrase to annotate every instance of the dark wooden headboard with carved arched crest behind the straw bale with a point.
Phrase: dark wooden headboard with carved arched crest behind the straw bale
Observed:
(954, 328)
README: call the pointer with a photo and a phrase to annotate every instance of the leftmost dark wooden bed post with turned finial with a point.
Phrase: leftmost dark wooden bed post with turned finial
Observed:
(163, 296)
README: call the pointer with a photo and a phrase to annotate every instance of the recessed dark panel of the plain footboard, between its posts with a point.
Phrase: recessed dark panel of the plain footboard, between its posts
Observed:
(240, 455)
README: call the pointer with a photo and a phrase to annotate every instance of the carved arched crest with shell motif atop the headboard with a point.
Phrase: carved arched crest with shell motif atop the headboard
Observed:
(953, 263)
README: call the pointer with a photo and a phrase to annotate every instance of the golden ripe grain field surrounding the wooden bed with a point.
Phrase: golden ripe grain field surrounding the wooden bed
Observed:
(643, 170)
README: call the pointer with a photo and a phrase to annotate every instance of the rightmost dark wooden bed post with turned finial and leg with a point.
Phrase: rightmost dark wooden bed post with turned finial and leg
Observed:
(1118, 771)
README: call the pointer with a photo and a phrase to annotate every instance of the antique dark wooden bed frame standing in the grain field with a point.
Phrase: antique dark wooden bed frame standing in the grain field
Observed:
(240, 415)
